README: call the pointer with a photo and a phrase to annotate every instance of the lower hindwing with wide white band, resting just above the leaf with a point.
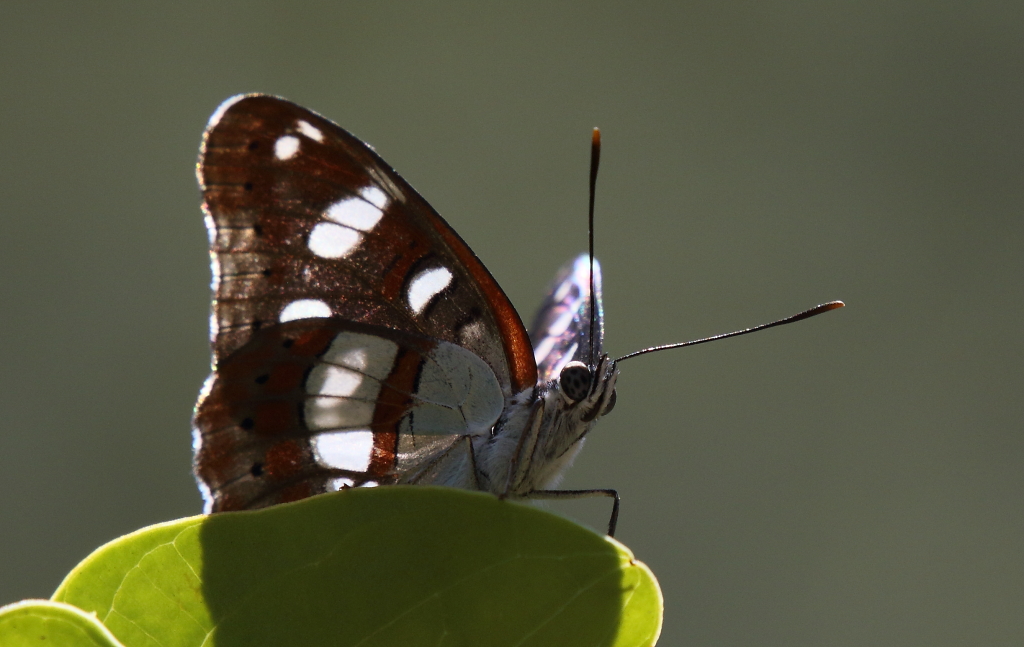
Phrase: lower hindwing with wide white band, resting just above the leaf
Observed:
(317, 405)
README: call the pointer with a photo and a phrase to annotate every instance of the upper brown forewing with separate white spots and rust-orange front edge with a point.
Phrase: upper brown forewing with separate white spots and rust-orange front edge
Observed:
(306, 221)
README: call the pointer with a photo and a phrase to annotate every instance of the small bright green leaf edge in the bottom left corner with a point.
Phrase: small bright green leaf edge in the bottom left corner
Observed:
(38, 623)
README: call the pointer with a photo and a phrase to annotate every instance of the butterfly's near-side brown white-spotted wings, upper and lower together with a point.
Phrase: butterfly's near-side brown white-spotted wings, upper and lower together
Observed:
(312, 234)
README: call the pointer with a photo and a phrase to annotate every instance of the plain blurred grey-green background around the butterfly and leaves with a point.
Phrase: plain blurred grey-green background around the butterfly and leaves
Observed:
(856, 480)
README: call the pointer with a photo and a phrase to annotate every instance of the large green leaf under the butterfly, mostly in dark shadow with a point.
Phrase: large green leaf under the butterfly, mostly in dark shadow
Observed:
(382, 567)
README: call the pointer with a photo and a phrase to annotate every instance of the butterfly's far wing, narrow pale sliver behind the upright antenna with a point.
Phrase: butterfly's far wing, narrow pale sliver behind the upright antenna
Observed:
(563, 327)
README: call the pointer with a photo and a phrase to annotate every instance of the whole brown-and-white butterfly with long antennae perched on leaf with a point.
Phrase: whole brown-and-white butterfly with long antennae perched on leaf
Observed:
(358, 341)
